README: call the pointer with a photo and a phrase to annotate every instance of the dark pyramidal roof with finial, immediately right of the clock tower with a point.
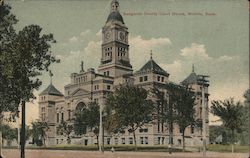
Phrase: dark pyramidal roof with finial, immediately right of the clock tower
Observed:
(152, 66)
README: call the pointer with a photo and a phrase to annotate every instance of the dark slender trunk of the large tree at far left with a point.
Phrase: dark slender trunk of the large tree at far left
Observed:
(23, 139)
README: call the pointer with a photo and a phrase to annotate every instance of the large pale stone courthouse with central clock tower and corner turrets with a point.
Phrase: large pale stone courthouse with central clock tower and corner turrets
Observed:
(94, 85)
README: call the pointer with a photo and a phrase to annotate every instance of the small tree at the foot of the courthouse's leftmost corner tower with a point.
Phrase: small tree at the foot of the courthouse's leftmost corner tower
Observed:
(38, 132)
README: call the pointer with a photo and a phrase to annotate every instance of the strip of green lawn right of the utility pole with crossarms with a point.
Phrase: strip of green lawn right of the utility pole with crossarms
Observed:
(228, 148)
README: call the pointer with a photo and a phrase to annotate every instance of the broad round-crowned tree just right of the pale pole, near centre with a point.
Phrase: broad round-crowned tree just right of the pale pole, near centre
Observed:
(132, 108)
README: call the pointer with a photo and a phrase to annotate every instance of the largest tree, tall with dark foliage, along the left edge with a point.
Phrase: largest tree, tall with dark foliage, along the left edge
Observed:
(23, 57)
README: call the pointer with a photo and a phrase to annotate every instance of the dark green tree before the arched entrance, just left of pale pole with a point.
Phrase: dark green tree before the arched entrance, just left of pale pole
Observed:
(88, 118)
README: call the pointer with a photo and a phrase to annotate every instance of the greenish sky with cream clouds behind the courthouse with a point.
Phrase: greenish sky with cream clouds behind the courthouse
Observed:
(213, 35)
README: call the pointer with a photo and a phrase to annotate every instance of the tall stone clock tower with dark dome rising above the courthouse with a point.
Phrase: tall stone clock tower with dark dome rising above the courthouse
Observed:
(115, 49)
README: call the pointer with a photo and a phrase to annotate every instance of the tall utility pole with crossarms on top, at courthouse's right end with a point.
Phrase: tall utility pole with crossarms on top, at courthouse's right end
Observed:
(202, 80)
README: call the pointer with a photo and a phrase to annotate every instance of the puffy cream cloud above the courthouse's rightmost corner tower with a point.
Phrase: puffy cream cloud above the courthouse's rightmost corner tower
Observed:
(195, 50)
